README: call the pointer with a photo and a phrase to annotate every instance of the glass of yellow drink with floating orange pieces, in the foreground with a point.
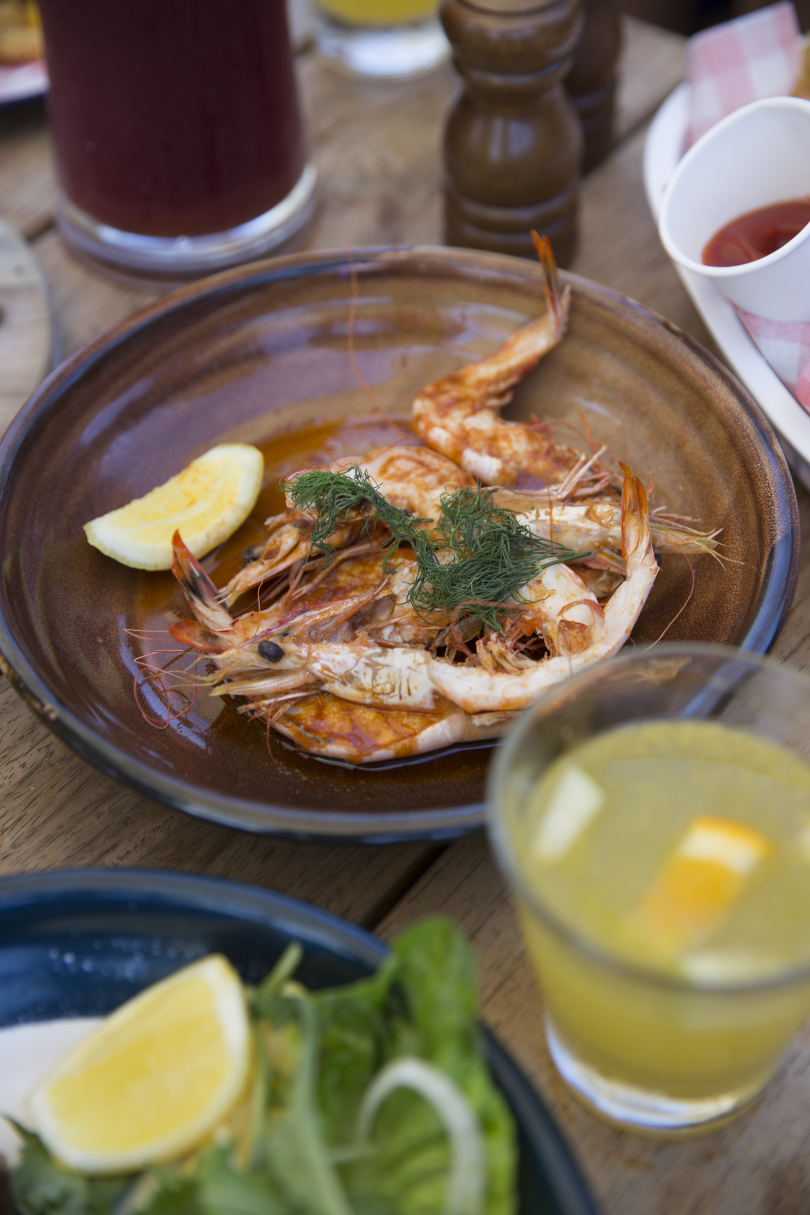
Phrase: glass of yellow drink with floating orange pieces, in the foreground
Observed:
(653, 816)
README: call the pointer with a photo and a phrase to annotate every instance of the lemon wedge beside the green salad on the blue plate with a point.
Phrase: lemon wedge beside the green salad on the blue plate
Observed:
(155, 1080)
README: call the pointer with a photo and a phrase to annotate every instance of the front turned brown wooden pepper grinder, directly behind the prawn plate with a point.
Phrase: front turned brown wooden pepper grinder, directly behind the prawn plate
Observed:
(513, 140)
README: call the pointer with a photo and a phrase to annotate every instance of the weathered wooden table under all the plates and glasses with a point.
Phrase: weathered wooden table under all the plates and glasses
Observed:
(378, 151)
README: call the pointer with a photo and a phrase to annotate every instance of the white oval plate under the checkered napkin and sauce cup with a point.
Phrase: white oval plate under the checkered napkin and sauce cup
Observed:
(664, 149)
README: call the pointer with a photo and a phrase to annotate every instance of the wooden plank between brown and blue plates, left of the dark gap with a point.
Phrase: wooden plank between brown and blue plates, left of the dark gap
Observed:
(59, 812)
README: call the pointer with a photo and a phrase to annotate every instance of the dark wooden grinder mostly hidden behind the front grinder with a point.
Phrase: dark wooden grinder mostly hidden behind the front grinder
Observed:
(592, 81)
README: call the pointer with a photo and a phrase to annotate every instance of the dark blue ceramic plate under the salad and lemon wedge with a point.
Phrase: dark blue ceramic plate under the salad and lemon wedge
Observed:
(81, 943)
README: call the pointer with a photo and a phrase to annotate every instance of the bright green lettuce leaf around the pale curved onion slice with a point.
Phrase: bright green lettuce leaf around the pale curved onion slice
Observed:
(423, 1002)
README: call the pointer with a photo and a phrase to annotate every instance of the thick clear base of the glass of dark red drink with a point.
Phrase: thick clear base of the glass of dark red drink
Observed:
(189, 257)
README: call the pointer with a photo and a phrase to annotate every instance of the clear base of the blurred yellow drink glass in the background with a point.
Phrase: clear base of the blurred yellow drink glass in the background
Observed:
(383, 53)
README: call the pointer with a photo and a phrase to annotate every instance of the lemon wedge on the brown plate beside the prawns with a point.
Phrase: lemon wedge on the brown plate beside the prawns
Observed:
(207, 502)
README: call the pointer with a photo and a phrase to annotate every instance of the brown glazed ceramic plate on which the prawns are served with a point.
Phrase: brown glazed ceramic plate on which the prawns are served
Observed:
(256, 355)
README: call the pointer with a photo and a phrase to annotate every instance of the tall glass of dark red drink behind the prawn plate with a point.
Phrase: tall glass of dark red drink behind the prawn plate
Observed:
(178, 132)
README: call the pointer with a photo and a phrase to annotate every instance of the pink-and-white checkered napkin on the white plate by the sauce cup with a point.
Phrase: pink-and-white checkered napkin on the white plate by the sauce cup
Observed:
(729, 66)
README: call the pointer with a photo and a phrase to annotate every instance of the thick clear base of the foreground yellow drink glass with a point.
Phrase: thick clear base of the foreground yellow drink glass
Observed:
(639, 1109)
